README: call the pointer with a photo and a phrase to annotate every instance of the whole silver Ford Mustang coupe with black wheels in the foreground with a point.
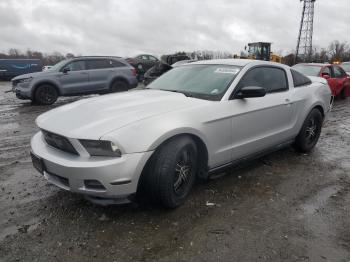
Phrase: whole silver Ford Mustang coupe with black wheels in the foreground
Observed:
(188, 124)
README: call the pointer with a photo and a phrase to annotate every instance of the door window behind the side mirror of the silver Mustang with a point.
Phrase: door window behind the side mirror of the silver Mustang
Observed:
(273, 79)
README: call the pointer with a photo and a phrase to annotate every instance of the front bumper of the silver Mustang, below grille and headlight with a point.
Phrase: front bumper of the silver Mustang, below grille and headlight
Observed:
(119, 176)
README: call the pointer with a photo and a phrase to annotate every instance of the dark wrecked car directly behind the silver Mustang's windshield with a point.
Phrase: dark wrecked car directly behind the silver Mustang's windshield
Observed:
(164, 65)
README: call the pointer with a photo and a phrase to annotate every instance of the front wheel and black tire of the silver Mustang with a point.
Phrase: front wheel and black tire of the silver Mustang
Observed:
(172, 172)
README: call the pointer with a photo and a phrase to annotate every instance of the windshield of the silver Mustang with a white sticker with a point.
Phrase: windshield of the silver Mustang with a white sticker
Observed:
(201, 81)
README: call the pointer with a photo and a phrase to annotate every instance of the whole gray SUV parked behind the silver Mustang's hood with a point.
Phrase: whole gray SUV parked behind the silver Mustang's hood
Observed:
(77, 76)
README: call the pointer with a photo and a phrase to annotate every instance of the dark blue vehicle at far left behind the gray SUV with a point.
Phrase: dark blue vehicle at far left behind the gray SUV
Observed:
(10, 68)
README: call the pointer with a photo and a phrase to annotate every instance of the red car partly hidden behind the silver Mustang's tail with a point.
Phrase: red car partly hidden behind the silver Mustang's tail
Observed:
(338, 80)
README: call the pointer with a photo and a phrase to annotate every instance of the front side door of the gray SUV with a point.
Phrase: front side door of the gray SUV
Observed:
(74, 77)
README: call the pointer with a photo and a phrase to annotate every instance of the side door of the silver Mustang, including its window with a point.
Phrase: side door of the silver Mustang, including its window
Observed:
(263, 122)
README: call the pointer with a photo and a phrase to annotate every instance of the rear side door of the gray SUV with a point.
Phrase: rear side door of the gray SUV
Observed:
(100, 71)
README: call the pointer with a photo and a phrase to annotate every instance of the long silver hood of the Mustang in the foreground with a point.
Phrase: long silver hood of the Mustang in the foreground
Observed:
(94, 117)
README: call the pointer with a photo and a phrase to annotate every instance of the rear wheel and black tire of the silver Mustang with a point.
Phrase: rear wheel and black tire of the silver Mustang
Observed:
(310, 132)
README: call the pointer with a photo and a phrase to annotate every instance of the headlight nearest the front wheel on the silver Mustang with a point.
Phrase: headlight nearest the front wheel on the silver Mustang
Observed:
(101, 148)
